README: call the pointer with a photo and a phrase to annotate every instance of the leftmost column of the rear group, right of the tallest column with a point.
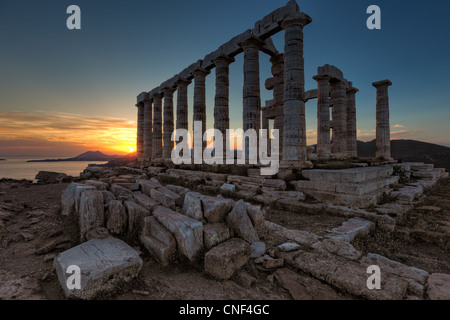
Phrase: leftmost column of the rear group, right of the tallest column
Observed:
(323, 116)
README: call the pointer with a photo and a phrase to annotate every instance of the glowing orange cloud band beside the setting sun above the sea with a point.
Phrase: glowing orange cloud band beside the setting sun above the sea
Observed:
(50, 131)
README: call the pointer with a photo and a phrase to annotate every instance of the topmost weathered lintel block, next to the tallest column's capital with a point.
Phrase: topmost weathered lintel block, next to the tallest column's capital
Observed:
(270, 24)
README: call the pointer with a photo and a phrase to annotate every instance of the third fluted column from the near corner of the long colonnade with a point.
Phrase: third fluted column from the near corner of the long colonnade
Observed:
(221, 101)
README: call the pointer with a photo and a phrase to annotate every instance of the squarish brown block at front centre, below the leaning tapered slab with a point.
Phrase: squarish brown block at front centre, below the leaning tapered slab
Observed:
(224, 260)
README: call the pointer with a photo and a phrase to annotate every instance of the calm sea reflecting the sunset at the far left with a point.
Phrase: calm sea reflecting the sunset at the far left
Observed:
(18, 168)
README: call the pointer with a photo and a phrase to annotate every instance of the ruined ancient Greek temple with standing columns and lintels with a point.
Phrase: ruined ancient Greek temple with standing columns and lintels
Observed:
(336, 98)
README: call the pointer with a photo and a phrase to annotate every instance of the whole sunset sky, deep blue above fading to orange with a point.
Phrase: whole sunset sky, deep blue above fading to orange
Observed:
(63, 92)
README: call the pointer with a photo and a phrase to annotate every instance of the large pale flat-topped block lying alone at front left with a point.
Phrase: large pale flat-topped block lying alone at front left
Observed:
(104, 265)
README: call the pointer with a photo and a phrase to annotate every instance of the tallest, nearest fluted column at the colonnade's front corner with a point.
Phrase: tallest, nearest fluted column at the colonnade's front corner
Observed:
(294, 131)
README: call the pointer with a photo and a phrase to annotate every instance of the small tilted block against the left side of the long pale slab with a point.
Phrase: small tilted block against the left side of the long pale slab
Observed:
(158, 241)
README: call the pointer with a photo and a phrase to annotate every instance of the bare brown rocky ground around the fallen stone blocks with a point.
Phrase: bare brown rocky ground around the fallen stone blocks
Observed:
(33, 232)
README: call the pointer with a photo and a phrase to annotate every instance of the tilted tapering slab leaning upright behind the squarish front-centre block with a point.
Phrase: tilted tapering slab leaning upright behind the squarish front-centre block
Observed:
(240, 222)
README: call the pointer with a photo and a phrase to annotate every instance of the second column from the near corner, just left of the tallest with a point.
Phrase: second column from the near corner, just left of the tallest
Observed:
(251, 93)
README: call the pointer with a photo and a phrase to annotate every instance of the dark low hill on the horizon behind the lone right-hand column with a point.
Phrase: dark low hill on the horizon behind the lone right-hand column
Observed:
(411, 150)
